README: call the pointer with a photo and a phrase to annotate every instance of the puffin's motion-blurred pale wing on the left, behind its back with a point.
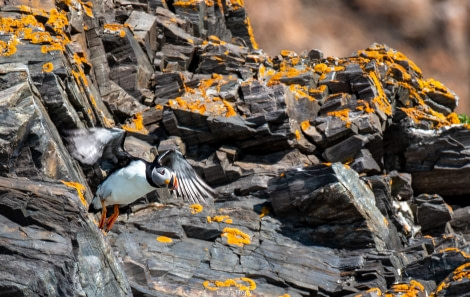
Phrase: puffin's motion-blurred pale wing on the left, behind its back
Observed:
(90, 145)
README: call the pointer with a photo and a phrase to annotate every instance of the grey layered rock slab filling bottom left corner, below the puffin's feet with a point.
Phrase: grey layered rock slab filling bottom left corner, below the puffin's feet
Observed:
(49, 245)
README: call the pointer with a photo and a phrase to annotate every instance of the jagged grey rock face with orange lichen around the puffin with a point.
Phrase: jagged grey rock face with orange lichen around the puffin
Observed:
(335, 175)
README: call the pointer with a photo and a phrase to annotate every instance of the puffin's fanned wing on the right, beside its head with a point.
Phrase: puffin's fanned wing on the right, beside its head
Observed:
(191, 187)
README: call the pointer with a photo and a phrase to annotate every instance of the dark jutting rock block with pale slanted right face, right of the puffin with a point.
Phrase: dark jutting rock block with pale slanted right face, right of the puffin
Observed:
(317, 191)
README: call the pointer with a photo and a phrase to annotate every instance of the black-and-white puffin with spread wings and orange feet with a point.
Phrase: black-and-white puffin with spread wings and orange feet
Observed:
(133, 177)
